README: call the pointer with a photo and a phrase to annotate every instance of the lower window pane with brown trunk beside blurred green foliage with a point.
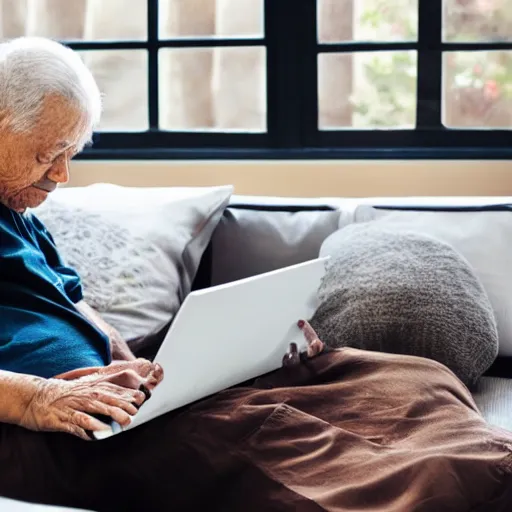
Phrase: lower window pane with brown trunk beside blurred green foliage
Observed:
(367, 90)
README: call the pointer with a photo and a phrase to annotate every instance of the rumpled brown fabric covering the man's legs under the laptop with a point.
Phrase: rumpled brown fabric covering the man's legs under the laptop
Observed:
(353, 431)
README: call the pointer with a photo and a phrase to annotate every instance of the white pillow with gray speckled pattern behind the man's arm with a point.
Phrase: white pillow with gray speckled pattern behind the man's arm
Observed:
(137, 250)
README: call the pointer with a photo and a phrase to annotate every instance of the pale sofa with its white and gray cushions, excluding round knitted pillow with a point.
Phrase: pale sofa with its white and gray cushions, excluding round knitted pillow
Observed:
(192, 238)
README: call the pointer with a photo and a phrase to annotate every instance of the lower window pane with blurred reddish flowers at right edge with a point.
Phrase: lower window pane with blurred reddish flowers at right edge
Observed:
(477, 89)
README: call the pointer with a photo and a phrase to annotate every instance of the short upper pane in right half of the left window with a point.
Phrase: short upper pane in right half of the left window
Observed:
(210, 18)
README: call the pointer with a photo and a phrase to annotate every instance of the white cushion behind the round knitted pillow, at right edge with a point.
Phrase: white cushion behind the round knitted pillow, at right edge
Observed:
(483, 237)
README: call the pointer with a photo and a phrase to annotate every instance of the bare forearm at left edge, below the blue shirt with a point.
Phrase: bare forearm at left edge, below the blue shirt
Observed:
(16, 392)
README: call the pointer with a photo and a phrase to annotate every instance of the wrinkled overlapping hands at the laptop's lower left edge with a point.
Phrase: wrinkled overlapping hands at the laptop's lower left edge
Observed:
(68, 402)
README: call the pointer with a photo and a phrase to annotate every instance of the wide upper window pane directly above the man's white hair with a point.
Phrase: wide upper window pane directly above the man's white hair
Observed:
(75, 19)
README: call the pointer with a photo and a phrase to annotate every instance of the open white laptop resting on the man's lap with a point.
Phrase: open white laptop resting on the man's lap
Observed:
(228, 334)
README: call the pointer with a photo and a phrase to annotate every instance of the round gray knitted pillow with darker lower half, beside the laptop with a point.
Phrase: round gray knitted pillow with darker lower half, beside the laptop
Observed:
(398, 291)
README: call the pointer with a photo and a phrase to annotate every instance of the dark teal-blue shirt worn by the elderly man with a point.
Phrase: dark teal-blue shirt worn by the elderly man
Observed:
(41, 331)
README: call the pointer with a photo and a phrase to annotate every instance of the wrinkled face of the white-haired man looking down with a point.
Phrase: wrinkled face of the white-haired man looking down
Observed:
(33, 164)
